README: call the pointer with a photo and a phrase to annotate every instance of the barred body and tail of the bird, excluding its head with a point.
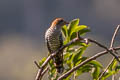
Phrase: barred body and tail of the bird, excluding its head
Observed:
(54, 42)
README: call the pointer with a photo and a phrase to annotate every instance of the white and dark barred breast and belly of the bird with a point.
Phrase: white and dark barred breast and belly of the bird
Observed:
(53, 39)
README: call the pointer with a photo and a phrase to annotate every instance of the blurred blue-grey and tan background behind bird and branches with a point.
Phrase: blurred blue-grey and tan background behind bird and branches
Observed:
(24, 22)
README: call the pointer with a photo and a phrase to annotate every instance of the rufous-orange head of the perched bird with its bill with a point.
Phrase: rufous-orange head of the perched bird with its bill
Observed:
(59, 22)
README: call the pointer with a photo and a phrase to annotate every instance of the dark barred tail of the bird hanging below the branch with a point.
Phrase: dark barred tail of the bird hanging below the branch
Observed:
(58, 62)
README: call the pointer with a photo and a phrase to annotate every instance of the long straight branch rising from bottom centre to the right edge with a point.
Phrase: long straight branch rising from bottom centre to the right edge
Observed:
(84, 62)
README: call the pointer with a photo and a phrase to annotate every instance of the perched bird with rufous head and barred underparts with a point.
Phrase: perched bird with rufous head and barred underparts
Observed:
(53, 37)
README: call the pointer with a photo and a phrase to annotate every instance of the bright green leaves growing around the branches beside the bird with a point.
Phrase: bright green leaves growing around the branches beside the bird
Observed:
(73, 55)
